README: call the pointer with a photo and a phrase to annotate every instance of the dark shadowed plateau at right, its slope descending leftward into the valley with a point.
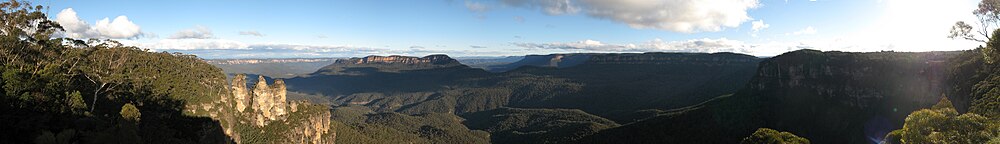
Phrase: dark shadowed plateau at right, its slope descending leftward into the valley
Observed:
(827, 97)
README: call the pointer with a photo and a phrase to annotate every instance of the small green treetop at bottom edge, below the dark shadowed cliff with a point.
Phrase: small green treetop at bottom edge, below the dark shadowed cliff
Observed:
(770, 136)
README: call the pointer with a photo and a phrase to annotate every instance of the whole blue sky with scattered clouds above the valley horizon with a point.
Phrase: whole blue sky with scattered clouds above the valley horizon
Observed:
(221, 29)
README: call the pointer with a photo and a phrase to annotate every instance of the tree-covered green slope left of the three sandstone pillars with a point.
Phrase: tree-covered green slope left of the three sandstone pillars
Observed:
(94, 91)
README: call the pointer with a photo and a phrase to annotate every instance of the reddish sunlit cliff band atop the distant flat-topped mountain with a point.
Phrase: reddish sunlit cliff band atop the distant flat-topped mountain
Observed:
(393, 59)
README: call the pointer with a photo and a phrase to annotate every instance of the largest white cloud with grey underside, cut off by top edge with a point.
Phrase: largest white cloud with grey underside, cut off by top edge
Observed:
(687, 16)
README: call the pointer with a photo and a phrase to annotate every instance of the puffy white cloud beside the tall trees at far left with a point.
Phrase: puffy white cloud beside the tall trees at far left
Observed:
(119, 28)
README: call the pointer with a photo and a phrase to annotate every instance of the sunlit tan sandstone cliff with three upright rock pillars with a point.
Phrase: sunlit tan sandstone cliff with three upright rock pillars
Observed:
(263, 115)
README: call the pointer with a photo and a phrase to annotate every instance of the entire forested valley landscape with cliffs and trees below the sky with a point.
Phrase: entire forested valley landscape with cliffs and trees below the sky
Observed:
(62, 90)
